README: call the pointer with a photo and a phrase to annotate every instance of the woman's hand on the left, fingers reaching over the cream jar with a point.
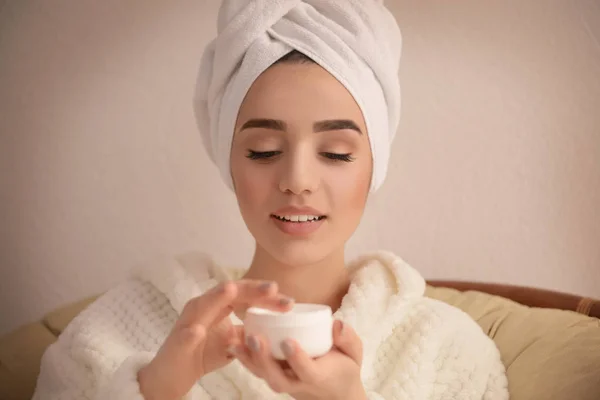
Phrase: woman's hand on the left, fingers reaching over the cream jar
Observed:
(198, 343)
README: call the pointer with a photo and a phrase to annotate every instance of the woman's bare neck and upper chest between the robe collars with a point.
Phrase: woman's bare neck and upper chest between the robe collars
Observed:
(324, 282)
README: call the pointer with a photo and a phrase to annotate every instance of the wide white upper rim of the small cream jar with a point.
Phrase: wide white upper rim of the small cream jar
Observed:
(300, 314)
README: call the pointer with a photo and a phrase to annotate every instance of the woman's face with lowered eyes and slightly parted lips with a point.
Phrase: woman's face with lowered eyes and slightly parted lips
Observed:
(301, 163)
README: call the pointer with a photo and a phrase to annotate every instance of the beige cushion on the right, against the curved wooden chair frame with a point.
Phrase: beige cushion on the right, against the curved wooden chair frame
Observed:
(549, 354)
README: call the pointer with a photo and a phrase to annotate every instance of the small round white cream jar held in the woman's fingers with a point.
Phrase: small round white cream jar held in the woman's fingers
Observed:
(311, 325)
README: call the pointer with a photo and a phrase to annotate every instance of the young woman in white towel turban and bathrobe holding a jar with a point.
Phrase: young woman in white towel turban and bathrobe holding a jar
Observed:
(297, 102)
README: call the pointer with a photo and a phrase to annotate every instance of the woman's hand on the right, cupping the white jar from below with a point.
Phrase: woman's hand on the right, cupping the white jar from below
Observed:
(336, 375)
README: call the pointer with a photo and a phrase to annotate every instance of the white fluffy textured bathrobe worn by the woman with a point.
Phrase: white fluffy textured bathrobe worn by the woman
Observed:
(415, 348)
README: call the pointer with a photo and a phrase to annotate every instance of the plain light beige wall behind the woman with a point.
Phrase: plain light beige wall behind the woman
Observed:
(495, 176)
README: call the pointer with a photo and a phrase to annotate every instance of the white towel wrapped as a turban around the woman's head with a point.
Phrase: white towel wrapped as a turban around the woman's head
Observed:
(357, 41)
